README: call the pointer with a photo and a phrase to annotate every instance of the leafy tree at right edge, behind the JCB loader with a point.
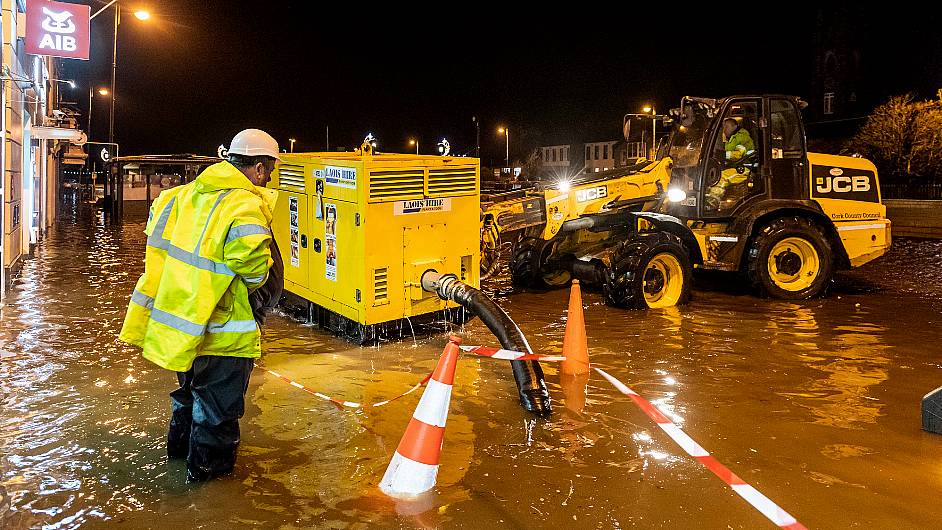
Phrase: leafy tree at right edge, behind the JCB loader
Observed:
(903, 138)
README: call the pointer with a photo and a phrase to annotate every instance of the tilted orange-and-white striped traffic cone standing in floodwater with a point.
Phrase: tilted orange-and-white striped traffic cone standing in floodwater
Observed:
(414, 467)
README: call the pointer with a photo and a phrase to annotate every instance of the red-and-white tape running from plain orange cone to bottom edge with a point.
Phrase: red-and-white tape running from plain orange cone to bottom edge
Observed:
(758, 501)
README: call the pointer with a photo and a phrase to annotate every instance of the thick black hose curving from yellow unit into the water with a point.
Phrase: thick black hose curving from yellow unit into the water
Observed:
(531, 386)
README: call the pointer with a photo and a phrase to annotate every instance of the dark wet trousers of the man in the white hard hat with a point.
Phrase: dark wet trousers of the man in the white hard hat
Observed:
(204, 426)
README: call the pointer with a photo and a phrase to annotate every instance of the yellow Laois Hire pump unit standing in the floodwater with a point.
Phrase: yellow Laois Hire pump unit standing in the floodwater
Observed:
(357, 230)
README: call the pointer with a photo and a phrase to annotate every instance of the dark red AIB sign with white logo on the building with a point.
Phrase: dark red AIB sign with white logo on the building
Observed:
(57, 29)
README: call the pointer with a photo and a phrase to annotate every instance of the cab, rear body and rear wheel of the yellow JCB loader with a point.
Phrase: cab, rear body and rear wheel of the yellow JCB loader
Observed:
(785, 217)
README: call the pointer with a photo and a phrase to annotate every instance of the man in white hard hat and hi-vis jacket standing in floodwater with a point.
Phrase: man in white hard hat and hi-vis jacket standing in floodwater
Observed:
(207, 250)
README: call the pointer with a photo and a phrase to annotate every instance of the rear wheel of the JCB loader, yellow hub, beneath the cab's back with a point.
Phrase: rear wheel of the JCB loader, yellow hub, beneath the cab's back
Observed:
(790, 258)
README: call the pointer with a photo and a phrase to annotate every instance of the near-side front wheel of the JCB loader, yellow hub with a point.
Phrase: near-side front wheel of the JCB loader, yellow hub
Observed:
(649, 271)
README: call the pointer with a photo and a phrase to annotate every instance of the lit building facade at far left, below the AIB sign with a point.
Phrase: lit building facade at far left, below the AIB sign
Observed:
(29, 185)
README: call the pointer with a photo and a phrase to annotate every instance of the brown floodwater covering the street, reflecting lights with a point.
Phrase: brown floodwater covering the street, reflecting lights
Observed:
(816, 404)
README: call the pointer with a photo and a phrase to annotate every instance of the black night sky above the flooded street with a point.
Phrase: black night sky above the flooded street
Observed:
(198, 72)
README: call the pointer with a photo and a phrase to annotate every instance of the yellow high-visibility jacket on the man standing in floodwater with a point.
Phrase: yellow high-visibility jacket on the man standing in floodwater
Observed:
(207, 247)
